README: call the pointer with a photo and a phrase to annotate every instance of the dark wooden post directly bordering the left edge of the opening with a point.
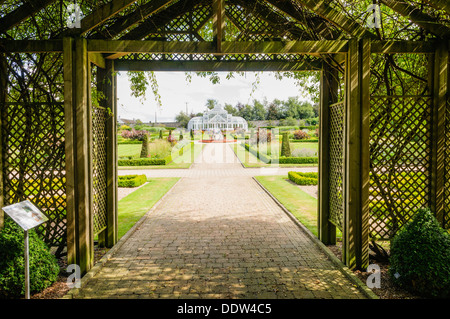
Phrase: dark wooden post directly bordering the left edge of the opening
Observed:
(107, 85)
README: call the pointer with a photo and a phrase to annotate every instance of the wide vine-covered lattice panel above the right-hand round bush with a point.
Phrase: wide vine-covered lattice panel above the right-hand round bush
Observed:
(400, 151)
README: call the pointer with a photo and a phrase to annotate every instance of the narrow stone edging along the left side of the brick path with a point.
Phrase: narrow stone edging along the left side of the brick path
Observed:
(99, 265)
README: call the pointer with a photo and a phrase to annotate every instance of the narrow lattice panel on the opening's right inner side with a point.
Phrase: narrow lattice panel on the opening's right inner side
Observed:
(336, 180)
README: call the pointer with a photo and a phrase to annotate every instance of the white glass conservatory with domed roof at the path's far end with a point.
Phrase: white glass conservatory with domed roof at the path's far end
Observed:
(217, 118)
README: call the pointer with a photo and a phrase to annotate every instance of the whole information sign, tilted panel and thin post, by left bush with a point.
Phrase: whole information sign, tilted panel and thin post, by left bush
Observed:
(27, 216)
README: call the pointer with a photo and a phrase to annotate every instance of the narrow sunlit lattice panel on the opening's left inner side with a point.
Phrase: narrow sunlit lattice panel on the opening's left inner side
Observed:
(99, 116)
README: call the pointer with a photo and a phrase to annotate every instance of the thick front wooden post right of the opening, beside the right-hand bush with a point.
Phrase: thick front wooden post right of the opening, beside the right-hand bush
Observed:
(356, 156)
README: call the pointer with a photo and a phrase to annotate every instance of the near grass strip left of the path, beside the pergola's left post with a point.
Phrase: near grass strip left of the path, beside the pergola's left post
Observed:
(135, 205)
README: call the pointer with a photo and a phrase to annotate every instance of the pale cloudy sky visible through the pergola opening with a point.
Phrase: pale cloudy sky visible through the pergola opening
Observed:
(175, 91)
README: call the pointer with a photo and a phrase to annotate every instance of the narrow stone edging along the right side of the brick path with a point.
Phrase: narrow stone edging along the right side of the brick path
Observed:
(345, 270)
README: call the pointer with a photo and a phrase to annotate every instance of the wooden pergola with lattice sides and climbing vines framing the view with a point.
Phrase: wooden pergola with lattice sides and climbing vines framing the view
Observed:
(59, 142)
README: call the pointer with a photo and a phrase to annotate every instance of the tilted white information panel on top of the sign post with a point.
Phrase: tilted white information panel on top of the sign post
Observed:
(25, 214)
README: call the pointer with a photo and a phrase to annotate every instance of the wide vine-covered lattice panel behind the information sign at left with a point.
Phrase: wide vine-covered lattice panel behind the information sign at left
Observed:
(34, 163)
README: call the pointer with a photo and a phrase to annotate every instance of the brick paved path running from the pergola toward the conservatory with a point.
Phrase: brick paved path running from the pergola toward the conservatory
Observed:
(218, 238)
